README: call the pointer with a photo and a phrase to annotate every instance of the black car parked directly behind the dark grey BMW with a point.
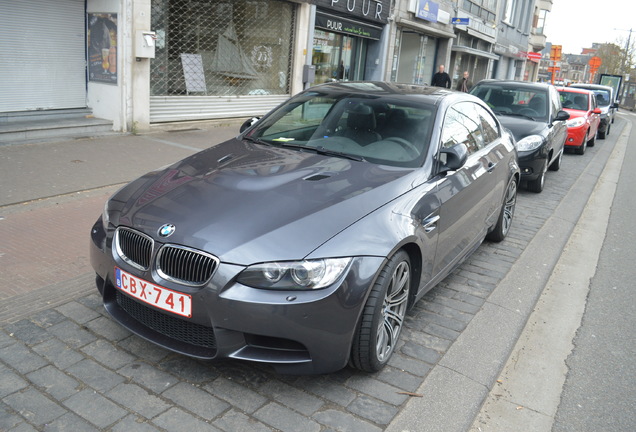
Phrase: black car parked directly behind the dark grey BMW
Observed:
(533, 112)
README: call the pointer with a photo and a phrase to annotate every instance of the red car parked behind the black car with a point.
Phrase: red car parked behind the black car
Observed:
(585, 117)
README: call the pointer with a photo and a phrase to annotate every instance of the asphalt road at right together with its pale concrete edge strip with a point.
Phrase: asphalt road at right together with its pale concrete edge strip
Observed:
(572, 368)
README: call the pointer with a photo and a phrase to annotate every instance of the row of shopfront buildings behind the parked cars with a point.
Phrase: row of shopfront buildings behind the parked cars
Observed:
(143, 62)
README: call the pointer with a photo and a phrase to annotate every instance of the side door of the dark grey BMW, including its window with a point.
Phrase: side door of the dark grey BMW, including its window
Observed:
(466, 195)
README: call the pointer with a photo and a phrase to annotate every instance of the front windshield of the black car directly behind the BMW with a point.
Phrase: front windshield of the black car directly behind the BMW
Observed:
(509, 100)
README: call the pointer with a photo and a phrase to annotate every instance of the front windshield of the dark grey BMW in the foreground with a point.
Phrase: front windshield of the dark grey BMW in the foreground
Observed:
(372, 129)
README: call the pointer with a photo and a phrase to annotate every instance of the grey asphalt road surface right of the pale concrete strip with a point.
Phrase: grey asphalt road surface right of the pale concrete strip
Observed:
(600, 389)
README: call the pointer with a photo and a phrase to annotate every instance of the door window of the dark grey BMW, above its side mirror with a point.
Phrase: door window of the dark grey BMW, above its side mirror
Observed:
(462, 125)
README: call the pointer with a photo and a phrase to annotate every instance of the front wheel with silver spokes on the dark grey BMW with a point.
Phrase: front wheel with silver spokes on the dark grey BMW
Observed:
(383, 316)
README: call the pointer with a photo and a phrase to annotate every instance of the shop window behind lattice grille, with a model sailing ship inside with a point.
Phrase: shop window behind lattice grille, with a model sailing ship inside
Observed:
(219, 47)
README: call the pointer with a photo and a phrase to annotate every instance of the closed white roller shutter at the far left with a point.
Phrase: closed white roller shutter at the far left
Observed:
(42, 55)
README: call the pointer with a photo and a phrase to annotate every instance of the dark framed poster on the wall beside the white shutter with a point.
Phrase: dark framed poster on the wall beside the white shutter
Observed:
(102, 47)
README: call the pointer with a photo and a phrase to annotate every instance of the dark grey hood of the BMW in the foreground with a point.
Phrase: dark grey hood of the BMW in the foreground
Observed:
(246, 202)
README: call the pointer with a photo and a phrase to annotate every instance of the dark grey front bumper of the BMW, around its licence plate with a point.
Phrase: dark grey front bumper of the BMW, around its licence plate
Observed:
(294, 331)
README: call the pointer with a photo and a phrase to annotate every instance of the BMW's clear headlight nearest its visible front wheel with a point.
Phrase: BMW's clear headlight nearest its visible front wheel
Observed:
(294, 275)
